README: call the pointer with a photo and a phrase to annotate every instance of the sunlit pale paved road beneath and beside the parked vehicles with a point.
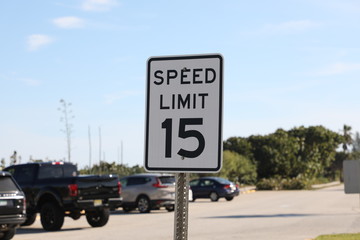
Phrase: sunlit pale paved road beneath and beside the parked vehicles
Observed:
(263, 215)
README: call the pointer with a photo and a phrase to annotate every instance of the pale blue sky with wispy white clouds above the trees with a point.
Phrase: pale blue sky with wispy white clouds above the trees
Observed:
(286, 64)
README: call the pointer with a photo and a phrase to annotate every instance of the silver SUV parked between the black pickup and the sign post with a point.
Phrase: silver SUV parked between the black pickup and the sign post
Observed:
(148, 191)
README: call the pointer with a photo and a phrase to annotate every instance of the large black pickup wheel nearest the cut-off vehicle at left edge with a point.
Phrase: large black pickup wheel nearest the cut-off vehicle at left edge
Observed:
(52, 217)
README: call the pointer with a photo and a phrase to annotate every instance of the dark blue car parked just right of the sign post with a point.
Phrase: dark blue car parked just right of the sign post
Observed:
(213, 188)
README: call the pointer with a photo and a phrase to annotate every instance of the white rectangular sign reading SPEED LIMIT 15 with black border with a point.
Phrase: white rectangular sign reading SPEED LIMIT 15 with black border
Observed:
(183, 130)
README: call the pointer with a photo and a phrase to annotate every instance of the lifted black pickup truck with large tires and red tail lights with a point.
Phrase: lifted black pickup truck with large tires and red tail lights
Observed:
(55, 190)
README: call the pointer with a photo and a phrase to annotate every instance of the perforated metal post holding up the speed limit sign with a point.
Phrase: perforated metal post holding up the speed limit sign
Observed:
(181, 206)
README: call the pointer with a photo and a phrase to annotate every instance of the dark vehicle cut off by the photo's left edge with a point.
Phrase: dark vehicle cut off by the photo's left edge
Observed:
(12, 206)
